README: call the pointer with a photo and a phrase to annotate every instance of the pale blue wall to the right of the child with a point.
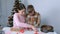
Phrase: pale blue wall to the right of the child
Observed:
(50, 12)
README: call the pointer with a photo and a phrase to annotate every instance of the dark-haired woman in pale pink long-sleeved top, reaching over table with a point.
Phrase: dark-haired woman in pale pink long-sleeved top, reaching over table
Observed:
(19, 18)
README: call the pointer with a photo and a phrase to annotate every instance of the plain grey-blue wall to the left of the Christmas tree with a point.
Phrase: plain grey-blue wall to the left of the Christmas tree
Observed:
(6, 7)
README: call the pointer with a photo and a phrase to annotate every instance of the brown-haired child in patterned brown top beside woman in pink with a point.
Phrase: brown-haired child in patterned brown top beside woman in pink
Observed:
(33, 17)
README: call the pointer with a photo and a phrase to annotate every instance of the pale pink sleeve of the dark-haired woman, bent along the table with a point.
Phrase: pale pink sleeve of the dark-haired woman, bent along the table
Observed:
(18, 22)
